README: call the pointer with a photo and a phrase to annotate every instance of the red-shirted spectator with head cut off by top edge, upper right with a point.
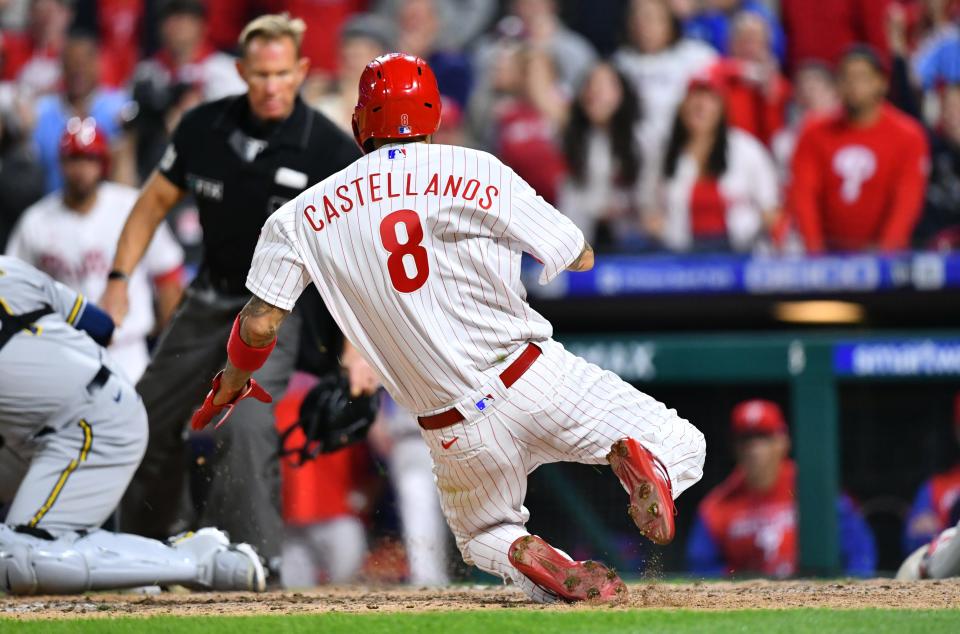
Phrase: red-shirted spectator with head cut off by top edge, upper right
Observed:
(824, 29)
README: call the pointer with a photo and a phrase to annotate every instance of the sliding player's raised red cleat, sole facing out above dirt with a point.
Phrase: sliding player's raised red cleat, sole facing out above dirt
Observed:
(646, 481)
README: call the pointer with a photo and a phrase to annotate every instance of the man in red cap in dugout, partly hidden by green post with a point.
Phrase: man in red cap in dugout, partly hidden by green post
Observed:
(748, 523)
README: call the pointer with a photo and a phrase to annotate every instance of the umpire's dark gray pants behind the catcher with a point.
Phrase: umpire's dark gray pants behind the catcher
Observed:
(243, 495)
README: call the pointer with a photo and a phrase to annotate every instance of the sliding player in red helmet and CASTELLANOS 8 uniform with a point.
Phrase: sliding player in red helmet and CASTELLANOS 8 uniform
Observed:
(415, 249)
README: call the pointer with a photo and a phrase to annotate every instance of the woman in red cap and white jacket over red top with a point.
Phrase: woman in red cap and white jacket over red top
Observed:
(719, 190)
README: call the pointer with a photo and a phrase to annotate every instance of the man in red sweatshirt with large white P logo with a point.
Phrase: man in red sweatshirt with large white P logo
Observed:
(859, 176)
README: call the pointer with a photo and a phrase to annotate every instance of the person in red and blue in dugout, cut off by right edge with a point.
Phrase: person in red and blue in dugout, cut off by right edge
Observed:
(931, 510)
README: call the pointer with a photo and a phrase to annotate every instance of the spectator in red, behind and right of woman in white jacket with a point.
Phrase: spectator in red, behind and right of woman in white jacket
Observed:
(757, 94)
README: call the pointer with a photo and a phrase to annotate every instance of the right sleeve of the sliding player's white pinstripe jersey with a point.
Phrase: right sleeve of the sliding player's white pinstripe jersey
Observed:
(544, 232)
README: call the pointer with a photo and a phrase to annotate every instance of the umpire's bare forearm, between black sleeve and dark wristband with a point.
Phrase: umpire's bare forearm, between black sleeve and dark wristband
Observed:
(156, 200)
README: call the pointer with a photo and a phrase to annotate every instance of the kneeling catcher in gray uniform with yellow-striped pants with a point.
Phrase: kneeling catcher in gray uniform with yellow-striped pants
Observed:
(72, 432)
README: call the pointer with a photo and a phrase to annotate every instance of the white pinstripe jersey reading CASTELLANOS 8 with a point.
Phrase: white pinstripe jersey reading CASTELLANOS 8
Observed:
(416, 250)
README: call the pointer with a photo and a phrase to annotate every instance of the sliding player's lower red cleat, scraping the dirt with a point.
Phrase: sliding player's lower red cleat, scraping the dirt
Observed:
(570, 580)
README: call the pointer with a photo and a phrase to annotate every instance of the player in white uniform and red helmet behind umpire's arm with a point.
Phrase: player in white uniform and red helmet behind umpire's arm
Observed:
(71, 234)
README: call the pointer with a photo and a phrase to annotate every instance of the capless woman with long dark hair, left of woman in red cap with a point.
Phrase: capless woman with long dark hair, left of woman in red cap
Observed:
(602, 193)
